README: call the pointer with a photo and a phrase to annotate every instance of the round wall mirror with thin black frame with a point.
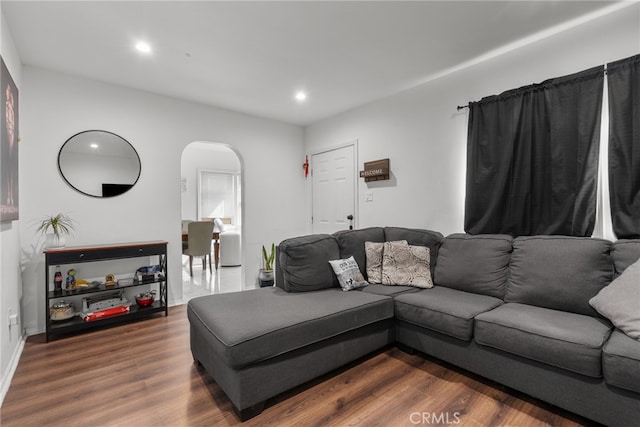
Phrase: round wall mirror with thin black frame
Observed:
(99, 163)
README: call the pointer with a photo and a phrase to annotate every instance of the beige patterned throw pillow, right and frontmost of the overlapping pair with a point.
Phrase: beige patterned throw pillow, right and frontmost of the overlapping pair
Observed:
(404, 264)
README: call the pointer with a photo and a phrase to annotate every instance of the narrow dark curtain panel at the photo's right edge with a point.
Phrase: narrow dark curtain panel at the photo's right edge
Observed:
(624, 146)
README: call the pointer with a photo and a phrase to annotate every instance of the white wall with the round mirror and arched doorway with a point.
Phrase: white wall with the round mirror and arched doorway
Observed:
(56, 106)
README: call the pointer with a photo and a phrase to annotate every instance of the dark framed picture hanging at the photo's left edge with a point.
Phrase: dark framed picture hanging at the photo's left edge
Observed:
(9, 197)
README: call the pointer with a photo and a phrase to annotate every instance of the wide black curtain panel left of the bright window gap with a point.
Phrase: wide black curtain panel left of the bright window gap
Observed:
(532, 158)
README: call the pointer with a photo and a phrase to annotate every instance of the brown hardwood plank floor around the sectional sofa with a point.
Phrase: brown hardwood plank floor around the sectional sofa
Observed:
(142, 374)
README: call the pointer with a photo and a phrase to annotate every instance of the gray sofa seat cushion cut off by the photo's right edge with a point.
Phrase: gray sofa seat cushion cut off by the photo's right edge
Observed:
(621, 362)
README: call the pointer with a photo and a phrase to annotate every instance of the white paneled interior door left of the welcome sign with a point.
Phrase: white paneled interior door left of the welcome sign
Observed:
(333, 181)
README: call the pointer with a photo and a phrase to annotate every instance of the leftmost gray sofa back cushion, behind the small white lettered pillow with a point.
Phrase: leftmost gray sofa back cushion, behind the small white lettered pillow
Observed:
(305, 262)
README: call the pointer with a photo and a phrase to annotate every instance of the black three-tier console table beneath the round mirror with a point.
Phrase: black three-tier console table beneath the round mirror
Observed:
(74, 255)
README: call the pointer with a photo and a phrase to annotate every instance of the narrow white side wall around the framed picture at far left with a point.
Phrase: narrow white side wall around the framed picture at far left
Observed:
(10, 277)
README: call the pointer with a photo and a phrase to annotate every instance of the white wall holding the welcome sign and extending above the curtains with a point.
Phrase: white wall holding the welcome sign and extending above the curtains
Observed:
(425, 137)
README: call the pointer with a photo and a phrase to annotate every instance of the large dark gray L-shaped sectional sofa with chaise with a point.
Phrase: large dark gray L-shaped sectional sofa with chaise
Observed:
(513, 310)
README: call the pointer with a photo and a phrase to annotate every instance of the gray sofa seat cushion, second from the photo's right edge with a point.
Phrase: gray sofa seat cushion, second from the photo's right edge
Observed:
(565, 340)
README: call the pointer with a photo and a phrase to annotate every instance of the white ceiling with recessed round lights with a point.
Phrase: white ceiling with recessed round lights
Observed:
(253, 56)
